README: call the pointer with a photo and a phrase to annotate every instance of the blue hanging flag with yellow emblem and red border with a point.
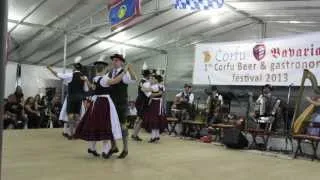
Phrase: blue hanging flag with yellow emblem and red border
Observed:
(123, 12)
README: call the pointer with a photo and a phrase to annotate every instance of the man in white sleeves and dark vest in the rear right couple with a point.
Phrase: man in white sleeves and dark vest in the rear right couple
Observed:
(144, 92)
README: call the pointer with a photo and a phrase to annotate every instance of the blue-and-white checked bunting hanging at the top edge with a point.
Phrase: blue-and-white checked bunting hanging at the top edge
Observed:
(198, 4)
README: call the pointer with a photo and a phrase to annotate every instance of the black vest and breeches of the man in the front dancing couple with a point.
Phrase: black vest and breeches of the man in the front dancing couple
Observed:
(119, 95)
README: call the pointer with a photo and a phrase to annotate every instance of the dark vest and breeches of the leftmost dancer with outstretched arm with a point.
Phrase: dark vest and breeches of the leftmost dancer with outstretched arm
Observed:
(75, 94)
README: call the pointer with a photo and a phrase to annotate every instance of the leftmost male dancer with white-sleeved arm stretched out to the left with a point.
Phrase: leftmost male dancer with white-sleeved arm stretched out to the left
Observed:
(77, 85)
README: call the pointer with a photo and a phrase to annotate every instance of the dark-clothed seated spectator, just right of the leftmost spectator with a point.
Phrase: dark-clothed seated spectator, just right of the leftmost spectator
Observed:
(33, 115)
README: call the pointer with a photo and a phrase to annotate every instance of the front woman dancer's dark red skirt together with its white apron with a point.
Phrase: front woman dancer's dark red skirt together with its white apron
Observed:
(100, 122)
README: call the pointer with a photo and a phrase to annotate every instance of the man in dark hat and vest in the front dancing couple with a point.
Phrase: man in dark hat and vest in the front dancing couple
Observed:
(119, 95)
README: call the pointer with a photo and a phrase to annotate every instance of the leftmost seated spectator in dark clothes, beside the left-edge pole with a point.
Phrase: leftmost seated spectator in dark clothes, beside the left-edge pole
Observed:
(14, 117)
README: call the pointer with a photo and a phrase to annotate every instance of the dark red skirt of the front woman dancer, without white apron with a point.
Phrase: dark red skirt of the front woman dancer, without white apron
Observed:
(96, 123)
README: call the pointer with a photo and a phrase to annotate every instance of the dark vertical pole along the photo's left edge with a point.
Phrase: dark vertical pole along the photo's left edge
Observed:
(3, 59)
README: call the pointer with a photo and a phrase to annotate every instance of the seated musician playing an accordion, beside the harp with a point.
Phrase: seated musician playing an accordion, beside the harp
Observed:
(266, 108)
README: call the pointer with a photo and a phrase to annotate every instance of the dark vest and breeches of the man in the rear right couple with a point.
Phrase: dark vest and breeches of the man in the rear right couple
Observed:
(142, 100)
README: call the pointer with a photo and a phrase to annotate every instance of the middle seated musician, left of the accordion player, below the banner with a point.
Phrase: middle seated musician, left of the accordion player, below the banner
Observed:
(214, 102)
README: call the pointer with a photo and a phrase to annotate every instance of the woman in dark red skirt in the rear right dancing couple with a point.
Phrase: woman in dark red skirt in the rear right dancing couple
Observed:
(154, 119)
